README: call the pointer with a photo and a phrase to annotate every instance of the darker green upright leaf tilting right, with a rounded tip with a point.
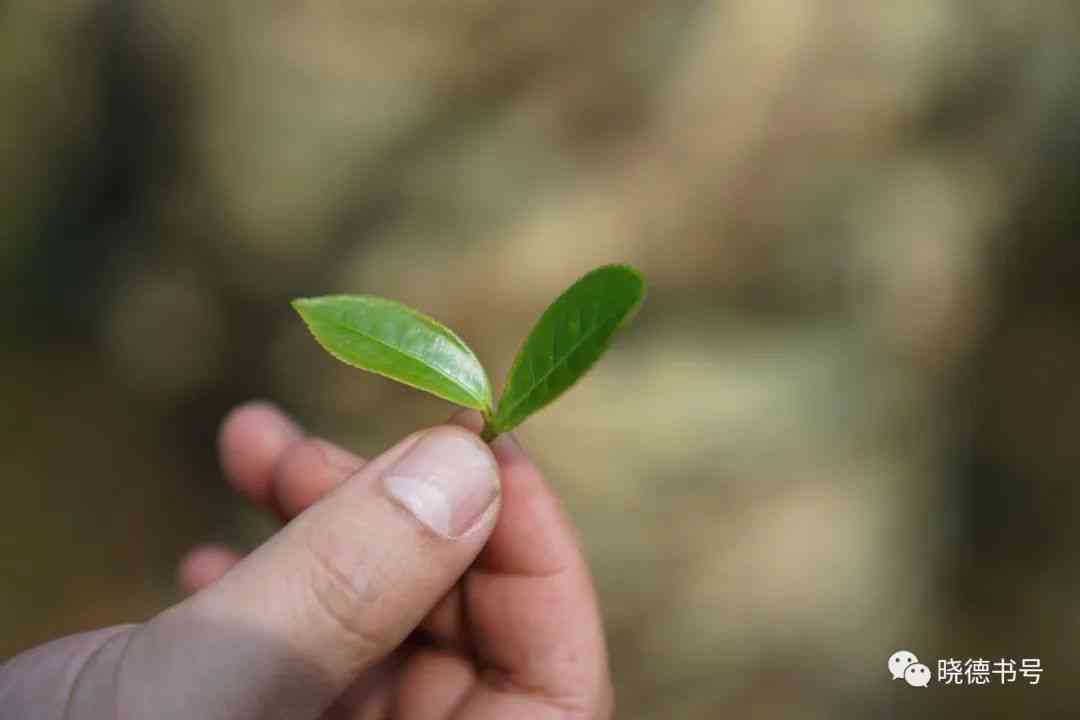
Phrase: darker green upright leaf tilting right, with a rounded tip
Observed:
(571, 336)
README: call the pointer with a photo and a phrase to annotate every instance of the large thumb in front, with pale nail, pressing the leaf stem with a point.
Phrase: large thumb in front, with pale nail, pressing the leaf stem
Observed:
(332, 594)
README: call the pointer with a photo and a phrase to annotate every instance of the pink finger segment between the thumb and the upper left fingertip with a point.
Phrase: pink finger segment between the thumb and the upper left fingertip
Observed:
(306, 472)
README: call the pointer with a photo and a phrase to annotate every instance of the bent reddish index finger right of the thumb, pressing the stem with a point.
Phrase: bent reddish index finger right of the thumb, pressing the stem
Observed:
(532, 608)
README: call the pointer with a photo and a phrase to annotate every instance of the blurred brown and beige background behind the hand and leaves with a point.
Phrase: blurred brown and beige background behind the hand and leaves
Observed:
(846, 423)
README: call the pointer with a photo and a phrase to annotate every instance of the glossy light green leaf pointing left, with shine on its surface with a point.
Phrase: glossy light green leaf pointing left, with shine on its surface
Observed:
(396, 342)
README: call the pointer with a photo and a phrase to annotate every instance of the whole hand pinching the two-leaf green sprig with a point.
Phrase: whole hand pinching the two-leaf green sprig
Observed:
(440, 580)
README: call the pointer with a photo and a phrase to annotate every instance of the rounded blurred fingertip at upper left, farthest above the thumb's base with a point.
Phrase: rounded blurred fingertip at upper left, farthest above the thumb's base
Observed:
(251, 442)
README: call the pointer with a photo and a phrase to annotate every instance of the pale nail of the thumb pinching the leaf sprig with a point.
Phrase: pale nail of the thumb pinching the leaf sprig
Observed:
(448, 481)
